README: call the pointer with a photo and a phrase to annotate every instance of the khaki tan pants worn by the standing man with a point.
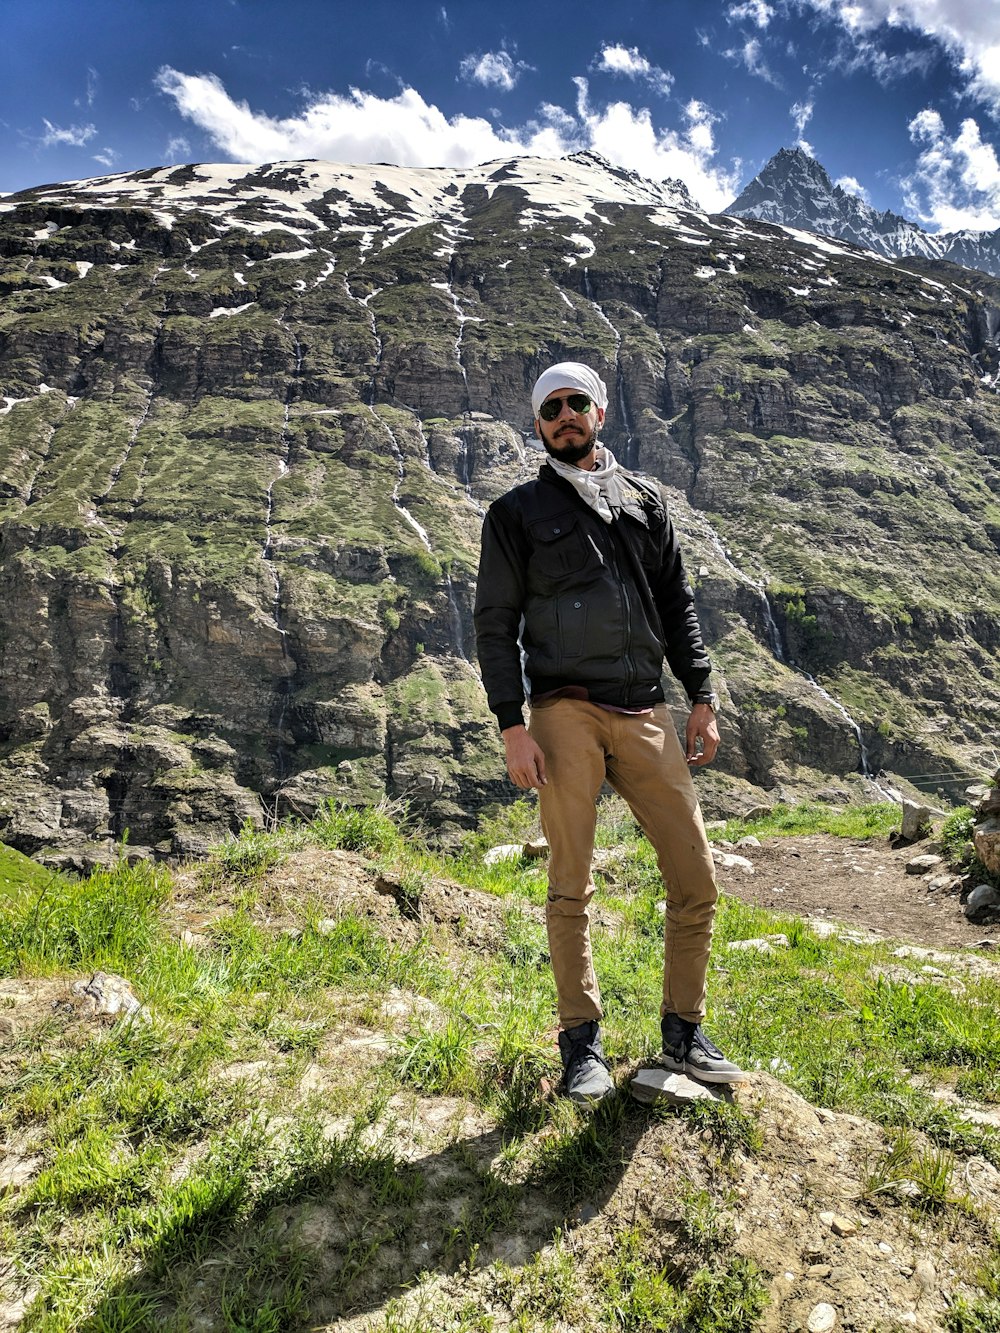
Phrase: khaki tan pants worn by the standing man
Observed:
(643, 760)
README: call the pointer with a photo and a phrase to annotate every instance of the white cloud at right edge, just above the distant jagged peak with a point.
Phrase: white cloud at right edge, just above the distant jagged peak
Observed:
(957, 182)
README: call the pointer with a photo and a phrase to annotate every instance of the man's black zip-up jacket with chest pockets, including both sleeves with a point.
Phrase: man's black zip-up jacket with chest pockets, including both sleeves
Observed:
(591, 603)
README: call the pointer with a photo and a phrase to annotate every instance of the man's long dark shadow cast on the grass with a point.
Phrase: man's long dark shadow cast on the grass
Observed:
(349, 1226)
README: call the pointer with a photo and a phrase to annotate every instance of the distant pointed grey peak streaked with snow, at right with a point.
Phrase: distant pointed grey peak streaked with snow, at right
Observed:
(795, 191)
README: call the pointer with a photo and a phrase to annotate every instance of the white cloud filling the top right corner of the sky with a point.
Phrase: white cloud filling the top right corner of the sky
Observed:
(967, 30)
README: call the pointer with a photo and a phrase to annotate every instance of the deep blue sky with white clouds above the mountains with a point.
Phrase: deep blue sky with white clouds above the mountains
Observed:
(899, 99)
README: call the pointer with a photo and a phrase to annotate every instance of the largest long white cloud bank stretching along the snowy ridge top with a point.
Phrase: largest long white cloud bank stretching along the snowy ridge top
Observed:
(363, 129)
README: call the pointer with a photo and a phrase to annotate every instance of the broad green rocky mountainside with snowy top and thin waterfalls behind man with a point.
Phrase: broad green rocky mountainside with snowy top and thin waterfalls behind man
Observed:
(250, 421)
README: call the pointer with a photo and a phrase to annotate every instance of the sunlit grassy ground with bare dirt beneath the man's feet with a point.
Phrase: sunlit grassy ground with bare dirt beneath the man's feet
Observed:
(335, 1110)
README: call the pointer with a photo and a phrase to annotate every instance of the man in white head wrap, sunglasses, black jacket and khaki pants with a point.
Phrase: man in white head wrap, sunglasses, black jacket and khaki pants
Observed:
(582, 594)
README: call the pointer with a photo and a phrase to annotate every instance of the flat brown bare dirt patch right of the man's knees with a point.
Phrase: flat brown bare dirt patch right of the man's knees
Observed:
(863, 884)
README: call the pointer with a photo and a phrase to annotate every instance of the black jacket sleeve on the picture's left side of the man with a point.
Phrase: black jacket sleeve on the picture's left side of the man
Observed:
(498, 617)
